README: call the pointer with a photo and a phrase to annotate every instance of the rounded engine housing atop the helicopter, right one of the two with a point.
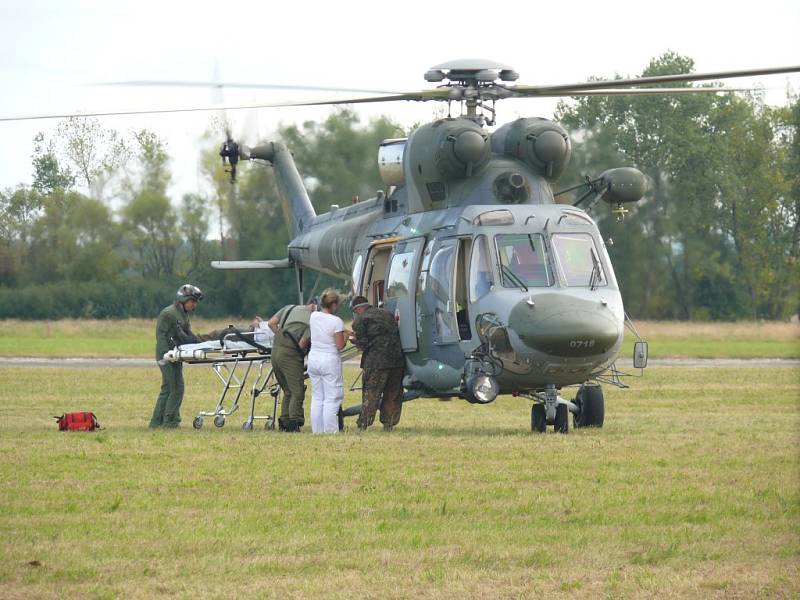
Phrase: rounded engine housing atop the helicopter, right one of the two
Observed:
(540, 143)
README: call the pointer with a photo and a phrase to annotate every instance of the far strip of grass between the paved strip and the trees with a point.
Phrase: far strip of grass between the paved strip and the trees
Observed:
(134, 338)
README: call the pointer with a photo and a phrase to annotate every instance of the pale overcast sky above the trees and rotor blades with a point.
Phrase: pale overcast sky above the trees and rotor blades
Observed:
(51, 49)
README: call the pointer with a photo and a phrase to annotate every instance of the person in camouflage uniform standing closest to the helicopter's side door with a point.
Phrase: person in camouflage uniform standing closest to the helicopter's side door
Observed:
(377, 335)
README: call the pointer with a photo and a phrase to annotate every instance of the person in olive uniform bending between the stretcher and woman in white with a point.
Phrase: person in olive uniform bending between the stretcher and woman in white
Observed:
(289, 347)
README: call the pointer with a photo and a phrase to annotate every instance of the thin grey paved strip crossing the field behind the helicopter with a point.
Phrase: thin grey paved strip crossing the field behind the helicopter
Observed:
(87, 363)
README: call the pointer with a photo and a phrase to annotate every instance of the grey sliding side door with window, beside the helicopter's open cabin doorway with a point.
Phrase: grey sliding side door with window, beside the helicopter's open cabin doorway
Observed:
(400, 289)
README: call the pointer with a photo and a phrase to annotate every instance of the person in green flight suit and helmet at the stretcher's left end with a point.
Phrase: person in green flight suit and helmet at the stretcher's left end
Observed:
(173, 328)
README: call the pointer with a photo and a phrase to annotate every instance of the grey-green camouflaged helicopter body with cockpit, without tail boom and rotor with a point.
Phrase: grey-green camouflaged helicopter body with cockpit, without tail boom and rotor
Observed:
(522, 290)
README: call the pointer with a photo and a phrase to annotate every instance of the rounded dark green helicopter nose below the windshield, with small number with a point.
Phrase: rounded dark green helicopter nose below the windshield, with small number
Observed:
(565, 327)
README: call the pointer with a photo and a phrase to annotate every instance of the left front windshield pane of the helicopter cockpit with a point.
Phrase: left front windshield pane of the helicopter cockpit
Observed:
(523, 260)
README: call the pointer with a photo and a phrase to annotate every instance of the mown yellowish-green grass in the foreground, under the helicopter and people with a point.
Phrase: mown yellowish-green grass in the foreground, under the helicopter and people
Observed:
(692, 490)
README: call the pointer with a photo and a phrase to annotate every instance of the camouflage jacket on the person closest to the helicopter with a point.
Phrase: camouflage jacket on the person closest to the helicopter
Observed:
(378, 338)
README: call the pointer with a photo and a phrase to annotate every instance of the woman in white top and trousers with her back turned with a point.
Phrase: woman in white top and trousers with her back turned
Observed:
(324, 365)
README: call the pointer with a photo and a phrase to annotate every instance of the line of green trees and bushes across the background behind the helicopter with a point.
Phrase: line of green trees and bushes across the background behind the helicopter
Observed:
(98, 234)
